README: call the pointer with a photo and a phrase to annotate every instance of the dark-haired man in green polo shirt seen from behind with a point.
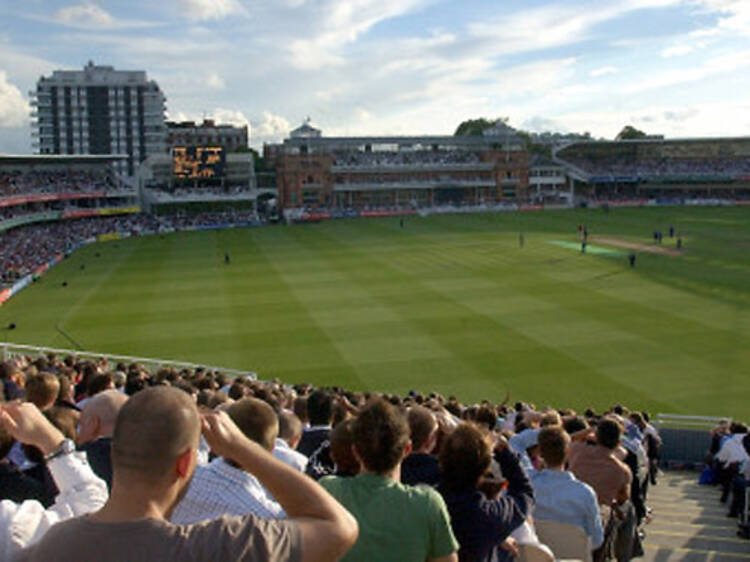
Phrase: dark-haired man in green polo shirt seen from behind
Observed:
(396, 521)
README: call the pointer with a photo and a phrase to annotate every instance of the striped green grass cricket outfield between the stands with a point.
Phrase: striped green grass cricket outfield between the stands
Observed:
(449, 303)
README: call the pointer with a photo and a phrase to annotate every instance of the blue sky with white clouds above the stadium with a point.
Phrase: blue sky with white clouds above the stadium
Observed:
(680, 68)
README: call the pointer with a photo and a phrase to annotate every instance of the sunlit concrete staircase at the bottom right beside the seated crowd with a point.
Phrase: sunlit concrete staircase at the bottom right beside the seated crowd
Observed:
(689, 523)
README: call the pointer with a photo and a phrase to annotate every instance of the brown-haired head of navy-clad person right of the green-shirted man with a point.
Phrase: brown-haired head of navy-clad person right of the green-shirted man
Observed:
(465, 456)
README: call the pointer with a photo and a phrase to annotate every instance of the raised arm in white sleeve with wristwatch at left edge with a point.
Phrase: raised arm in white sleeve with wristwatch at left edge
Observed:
(81, 491)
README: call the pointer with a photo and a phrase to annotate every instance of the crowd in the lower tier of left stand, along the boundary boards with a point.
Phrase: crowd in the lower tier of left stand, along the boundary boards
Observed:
(24, 249)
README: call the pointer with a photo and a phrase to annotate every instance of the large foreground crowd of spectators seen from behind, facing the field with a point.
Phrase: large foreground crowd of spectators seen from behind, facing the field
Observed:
(409, 478)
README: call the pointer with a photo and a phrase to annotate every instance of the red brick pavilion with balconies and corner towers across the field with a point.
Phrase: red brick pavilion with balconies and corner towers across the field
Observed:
(313, 171)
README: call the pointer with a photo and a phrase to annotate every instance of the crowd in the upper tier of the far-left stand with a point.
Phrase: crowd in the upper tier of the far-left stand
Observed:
(34, 182)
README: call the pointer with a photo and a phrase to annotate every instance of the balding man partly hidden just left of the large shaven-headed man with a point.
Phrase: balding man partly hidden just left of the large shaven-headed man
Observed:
(95, 430)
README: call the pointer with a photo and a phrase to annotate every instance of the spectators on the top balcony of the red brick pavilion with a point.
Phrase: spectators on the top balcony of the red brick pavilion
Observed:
(352, 159)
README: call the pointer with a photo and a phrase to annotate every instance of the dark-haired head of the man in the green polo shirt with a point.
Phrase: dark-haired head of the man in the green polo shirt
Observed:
(381, 436)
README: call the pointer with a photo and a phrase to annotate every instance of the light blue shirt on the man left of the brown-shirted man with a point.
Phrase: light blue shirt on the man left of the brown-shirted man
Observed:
(561, 497)
